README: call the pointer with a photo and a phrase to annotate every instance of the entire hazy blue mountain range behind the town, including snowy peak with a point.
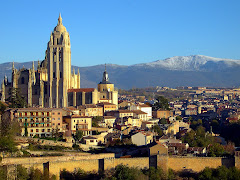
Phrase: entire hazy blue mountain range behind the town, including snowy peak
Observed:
(195, 70)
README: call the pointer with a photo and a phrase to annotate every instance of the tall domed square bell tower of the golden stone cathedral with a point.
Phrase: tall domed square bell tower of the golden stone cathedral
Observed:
(59, 67)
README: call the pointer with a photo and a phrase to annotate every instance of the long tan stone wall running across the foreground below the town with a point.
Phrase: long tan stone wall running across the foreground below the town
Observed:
(100, 162)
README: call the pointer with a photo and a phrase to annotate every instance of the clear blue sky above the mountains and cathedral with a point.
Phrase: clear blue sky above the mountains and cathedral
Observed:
(121, 32)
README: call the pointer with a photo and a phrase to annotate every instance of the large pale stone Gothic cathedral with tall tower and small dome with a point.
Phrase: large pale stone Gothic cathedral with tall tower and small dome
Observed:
(54, 84)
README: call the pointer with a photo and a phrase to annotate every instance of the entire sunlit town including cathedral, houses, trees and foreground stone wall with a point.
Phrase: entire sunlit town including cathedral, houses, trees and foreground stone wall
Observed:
(49, 122)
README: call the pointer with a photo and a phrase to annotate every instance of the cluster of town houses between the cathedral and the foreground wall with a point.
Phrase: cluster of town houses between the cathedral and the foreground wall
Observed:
(143, 126)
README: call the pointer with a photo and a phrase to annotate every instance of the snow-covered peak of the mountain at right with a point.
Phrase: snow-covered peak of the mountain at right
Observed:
(192, 63)
